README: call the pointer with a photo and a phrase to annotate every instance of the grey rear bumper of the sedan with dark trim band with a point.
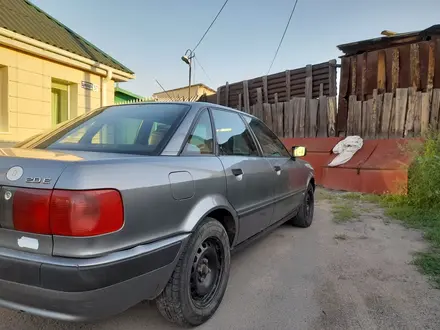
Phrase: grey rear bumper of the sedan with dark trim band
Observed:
(87, 289)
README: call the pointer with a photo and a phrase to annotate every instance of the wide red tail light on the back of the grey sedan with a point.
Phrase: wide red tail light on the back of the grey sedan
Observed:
(67, 212)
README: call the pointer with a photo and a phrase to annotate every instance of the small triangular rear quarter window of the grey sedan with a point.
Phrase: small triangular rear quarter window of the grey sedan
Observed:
(200, 141)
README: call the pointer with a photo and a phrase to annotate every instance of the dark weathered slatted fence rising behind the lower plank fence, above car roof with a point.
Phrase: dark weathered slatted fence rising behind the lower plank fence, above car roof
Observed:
(285, 85)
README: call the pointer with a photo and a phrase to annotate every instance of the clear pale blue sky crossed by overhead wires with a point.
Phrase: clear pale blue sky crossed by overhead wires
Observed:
(150, 36)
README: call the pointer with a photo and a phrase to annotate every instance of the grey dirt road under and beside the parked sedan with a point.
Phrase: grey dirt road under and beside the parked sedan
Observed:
(352, 275)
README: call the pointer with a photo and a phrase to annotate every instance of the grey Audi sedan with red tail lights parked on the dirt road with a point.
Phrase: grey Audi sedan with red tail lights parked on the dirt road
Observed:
(140, 202)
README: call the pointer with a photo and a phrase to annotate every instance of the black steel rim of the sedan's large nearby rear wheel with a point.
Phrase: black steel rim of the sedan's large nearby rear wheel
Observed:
(207, 271)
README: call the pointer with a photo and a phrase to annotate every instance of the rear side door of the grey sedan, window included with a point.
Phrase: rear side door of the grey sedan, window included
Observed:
(249, 177)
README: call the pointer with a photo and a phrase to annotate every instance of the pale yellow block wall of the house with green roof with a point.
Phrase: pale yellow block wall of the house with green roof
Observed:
(25, 81)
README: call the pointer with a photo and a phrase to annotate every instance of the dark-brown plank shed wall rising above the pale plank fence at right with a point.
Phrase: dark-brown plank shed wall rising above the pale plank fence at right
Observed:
(400, 64)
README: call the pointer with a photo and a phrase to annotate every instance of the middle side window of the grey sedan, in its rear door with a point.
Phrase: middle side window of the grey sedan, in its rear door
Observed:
(233, 137)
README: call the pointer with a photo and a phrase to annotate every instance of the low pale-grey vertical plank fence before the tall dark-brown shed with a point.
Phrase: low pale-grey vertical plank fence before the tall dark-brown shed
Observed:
(405, 113)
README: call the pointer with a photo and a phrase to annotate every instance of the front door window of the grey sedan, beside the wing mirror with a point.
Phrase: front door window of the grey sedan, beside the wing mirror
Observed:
(271, 145)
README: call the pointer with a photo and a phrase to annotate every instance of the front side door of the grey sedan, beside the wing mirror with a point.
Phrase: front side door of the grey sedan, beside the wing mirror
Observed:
(285, 170)
